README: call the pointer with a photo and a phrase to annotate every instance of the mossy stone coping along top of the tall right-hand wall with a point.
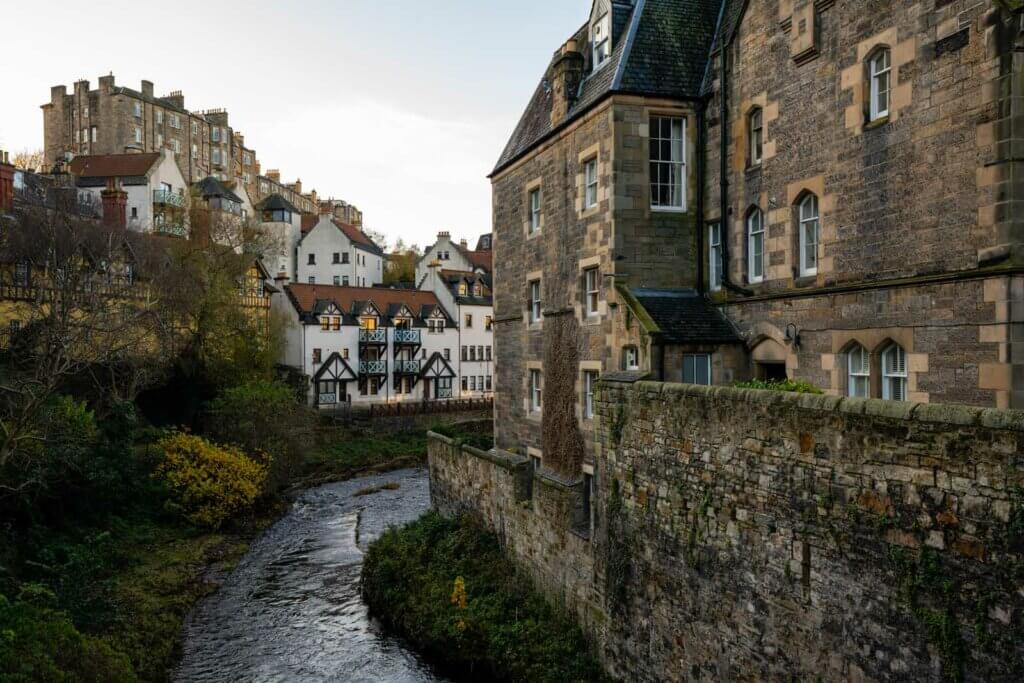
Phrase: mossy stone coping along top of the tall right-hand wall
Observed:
(926, 413)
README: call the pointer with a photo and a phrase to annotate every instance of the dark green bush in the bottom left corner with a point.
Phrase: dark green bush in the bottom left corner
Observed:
(39, 644)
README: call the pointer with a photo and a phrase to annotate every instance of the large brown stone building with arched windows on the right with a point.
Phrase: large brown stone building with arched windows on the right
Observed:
(708, 192)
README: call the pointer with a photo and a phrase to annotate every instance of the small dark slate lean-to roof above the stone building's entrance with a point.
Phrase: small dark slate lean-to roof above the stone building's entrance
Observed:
(685, 317)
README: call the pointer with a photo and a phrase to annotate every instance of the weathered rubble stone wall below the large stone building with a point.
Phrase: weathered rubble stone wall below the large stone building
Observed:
(749, 535)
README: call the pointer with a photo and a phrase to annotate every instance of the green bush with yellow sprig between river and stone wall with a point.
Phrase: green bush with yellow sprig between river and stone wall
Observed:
(448, 588)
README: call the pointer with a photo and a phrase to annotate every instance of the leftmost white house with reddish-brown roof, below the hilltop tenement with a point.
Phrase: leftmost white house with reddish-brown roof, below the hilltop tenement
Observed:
(158, 195)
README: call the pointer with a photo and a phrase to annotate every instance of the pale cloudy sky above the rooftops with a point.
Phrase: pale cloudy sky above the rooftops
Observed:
(399, 107)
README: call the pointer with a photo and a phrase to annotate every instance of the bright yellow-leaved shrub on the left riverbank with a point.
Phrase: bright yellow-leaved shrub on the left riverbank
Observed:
(208, 483)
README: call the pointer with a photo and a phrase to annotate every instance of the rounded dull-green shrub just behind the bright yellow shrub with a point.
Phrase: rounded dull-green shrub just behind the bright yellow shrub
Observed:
(265, 416)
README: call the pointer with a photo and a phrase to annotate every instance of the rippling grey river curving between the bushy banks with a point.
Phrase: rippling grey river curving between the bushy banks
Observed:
(292, 610)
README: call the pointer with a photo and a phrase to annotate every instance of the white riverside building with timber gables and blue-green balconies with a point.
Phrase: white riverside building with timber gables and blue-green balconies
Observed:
(370, 346)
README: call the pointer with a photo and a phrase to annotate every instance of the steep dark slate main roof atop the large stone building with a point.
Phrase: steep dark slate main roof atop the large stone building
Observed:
(661, 49)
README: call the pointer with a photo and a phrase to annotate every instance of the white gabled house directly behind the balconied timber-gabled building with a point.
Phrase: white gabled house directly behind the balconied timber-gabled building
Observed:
(334, 253)
